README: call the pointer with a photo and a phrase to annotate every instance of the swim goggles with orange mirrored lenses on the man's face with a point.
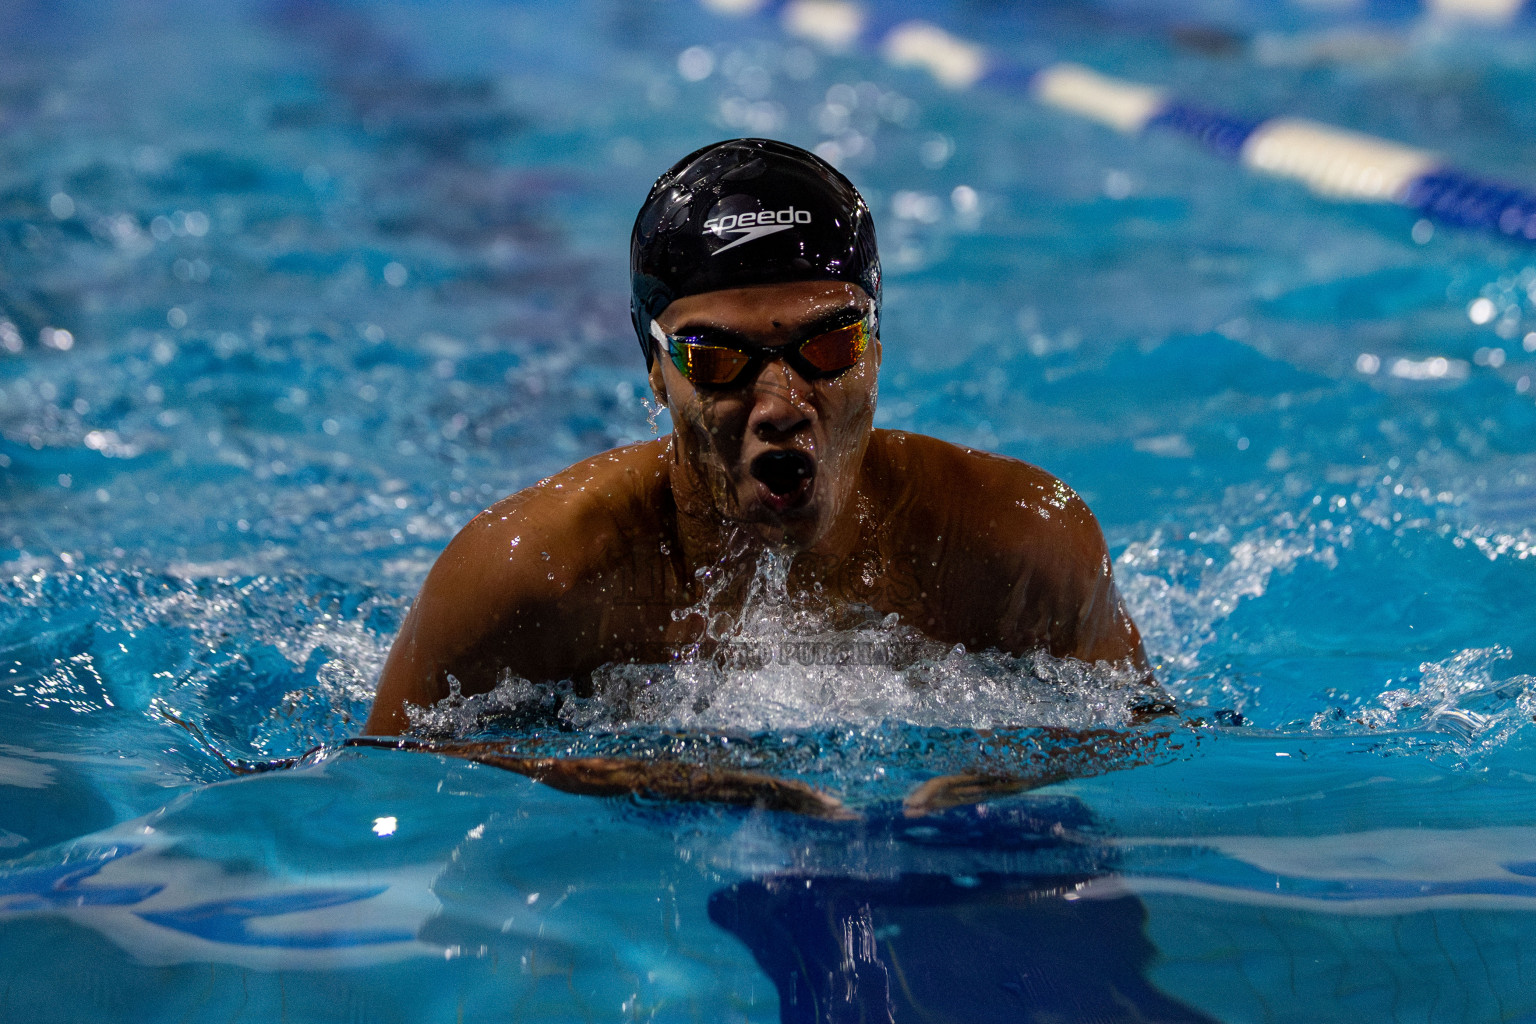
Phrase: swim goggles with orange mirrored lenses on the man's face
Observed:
(712, 360)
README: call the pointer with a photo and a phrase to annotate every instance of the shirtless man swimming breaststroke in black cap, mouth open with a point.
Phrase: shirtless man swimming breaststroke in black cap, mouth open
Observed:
(756, 300)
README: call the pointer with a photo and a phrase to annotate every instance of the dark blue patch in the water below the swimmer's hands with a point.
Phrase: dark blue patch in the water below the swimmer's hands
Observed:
(941, 946)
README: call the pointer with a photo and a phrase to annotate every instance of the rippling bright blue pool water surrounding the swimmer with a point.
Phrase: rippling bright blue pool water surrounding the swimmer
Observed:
(290, 291)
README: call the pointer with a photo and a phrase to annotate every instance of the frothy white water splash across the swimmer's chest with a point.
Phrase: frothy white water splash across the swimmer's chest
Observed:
(783, 664)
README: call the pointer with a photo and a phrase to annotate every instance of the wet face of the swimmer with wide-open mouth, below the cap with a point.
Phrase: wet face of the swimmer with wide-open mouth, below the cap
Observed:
(775, 451)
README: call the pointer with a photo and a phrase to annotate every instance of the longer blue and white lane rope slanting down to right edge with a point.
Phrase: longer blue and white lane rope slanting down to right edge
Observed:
(1334, 164)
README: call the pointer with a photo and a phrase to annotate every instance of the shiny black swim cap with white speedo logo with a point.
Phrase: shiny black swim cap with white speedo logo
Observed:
(743, 213)
